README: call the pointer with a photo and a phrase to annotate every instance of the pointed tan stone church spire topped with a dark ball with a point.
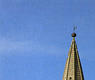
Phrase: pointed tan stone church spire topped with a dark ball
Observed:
(73, 68)
